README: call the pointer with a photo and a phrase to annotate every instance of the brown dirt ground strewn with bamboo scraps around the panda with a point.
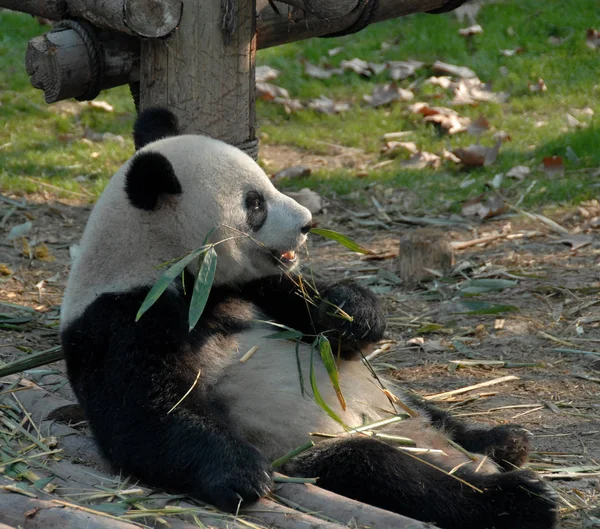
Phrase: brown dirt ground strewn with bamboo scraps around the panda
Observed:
(549, 338)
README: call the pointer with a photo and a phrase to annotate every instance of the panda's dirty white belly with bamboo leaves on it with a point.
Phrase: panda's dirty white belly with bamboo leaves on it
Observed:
(265, 400)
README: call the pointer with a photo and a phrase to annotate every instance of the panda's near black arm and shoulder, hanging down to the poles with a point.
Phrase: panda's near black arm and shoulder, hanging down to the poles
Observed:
(145, 389)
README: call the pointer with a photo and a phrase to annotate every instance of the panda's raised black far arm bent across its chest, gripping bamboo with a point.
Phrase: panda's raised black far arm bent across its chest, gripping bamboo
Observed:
(282, 301)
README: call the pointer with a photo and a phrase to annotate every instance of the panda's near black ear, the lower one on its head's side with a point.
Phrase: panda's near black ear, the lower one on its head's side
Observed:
(149, 177)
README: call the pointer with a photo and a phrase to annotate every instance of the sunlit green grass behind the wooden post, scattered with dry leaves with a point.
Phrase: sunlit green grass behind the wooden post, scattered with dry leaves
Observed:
(38, 144)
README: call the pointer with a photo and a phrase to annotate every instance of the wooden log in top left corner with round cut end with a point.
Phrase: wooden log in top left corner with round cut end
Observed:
(143, 18)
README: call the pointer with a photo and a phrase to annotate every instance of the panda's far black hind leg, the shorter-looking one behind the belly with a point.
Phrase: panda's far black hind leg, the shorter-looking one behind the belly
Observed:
(507, 445)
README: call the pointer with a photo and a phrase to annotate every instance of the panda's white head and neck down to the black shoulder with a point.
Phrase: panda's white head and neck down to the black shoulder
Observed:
(164, 202)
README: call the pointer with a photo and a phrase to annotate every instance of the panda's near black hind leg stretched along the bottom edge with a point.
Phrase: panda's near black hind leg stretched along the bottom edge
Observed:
(373, 472)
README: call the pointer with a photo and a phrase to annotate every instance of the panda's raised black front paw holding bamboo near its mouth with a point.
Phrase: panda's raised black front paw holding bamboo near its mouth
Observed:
(350, 316)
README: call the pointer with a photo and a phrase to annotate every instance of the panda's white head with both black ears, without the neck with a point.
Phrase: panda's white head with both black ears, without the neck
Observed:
(193, 186)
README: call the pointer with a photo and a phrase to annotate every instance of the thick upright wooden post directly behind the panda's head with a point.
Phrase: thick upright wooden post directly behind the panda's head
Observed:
(207, 82)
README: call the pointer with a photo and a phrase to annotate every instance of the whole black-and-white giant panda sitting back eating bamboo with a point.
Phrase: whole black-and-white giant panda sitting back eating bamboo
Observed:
(178, 409)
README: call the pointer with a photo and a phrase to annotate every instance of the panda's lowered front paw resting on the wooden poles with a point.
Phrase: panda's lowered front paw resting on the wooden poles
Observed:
(240, 482)
